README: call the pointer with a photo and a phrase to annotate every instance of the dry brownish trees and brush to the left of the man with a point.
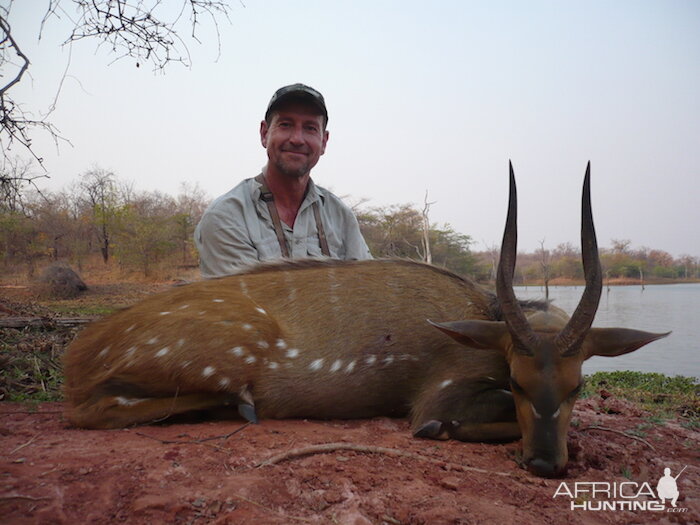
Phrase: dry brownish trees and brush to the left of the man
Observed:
(102, 216)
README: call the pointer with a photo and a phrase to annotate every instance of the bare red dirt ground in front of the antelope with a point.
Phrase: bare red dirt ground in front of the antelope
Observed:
(169, 474)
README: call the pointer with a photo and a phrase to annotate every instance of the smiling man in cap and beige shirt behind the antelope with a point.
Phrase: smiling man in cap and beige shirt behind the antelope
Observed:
(281, 213)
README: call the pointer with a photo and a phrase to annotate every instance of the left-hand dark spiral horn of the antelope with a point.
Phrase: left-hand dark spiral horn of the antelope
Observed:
(524, 338)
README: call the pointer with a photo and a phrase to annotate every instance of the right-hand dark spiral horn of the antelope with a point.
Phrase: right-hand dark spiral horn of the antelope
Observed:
(571, 337)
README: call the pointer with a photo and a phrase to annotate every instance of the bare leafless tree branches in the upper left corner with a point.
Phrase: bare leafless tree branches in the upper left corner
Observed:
(136, 30)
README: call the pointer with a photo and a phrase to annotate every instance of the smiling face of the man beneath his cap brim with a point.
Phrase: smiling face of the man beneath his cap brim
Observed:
(295, 138)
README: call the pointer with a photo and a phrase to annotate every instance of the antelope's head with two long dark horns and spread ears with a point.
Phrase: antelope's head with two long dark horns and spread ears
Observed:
(545, 351)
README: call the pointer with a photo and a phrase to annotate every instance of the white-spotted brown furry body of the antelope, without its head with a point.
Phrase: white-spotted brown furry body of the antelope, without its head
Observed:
(372, 314)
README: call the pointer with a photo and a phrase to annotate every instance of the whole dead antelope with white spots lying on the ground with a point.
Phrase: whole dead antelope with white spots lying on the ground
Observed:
(329, 339)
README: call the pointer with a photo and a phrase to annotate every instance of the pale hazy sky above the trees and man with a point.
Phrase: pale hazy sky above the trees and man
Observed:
(434, 96)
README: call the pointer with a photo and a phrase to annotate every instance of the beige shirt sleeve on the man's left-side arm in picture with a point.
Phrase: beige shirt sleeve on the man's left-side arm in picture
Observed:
(224, 244)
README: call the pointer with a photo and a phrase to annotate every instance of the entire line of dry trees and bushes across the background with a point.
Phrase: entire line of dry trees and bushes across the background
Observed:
(101, 215)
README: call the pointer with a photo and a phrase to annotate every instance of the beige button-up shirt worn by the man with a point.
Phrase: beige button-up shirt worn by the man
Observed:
(237, 231)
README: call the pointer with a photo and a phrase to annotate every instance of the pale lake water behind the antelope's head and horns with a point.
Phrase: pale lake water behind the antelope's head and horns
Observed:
(657, 308)
